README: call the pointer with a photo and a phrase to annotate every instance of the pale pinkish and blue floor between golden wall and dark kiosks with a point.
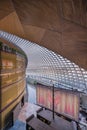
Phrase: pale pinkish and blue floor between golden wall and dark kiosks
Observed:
(27, 110)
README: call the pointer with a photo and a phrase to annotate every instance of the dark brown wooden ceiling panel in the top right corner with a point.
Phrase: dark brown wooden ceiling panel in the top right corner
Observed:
(75, 10)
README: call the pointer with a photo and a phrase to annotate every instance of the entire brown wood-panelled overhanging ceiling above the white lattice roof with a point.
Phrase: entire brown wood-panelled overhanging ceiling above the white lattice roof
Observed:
(59, 25)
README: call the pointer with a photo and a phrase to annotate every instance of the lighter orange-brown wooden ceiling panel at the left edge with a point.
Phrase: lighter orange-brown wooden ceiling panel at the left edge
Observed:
(11, 24)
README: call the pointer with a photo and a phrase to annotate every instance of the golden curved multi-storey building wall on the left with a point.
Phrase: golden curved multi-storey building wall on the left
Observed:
(12, 80)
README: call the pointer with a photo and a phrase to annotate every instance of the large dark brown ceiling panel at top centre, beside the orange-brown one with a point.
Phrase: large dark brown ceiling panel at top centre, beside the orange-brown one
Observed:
(41, 13)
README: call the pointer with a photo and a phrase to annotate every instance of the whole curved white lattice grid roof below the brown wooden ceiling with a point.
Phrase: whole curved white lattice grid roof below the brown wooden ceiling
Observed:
(46, 66)
